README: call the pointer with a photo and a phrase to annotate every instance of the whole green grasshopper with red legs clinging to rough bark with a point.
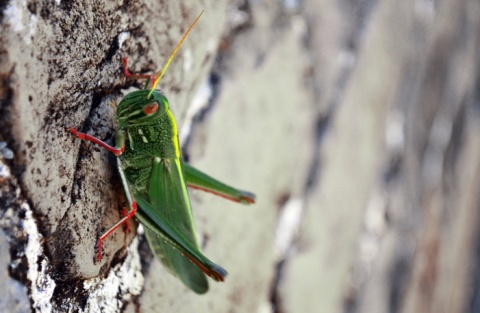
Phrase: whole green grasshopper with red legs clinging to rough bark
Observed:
(155, 179)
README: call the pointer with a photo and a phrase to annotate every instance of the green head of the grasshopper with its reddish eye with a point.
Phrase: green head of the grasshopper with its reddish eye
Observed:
(137, 107)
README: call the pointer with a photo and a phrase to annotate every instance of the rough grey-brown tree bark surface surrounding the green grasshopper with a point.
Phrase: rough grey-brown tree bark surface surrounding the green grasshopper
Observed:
(355, 123)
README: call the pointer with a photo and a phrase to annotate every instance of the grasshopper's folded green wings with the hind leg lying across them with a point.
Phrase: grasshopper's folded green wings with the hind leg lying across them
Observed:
(169, 225)
